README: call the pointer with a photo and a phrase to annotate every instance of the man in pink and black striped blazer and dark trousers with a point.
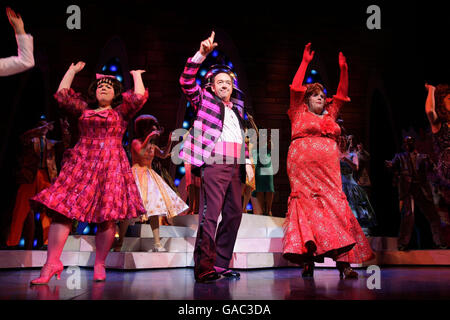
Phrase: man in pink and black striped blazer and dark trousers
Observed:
(214, 143)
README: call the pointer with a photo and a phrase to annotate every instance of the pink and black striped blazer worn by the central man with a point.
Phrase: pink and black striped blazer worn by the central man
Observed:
(208, 123)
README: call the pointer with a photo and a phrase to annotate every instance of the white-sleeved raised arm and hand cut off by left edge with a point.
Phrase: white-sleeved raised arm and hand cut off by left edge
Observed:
(24, 59)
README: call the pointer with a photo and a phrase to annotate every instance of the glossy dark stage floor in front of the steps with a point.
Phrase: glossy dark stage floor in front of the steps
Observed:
(423, 283)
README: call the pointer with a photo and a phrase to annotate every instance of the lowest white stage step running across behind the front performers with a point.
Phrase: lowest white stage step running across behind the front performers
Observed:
(241, 260)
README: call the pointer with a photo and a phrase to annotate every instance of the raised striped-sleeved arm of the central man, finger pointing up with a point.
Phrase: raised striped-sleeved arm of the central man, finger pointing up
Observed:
(187, 80)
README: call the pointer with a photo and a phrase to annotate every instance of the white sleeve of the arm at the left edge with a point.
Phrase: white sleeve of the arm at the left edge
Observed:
(24, 59)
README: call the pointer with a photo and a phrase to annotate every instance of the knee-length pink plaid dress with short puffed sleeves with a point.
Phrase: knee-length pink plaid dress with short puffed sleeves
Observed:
(96, 183)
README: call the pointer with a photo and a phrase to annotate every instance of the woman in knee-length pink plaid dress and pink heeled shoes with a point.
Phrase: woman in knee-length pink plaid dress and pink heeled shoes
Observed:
(95, 184)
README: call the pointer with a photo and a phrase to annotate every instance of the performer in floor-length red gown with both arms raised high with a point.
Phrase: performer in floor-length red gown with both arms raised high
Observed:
(319, 221)
